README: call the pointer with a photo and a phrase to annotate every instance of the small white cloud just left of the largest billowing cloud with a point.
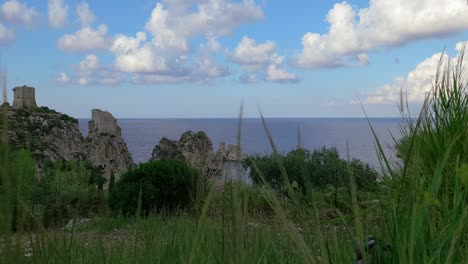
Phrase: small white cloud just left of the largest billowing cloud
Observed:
(85, 39)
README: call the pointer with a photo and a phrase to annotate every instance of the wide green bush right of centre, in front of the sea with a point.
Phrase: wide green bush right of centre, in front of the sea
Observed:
(318, 168)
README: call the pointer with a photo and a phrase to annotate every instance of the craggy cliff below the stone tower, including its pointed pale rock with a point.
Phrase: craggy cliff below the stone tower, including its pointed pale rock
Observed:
(51, 136)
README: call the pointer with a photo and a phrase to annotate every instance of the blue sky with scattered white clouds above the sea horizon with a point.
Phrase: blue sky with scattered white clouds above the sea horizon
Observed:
(189, 58)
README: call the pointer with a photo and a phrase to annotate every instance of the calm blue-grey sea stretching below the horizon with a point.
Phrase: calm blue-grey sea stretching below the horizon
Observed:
(141, 135)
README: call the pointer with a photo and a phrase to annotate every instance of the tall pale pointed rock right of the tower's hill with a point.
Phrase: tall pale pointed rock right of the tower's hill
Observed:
(105, 147)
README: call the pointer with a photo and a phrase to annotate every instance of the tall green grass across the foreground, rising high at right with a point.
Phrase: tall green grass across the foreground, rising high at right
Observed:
(418, 213)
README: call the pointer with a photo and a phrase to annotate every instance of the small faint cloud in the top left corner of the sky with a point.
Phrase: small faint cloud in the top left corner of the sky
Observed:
(13, 11)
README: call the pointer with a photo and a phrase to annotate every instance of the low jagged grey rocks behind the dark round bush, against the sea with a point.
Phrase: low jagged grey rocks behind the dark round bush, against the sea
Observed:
(197, 150)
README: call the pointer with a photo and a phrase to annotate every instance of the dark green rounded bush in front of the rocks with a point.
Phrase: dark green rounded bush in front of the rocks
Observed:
(158, 185)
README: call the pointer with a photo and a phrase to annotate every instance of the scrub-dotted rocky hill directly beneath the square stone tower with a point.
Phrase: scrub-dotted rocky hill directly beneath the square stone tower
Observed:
(47, 134)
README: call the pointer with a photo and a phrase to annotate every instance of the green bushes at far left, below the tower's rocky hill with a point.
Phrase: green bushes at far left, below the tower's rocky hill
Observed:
(66, 190)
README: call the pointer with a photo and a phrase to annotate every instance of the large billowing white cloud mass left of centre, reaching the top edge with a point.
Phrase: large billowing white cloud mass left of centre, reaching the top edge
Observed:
(166, 54)
